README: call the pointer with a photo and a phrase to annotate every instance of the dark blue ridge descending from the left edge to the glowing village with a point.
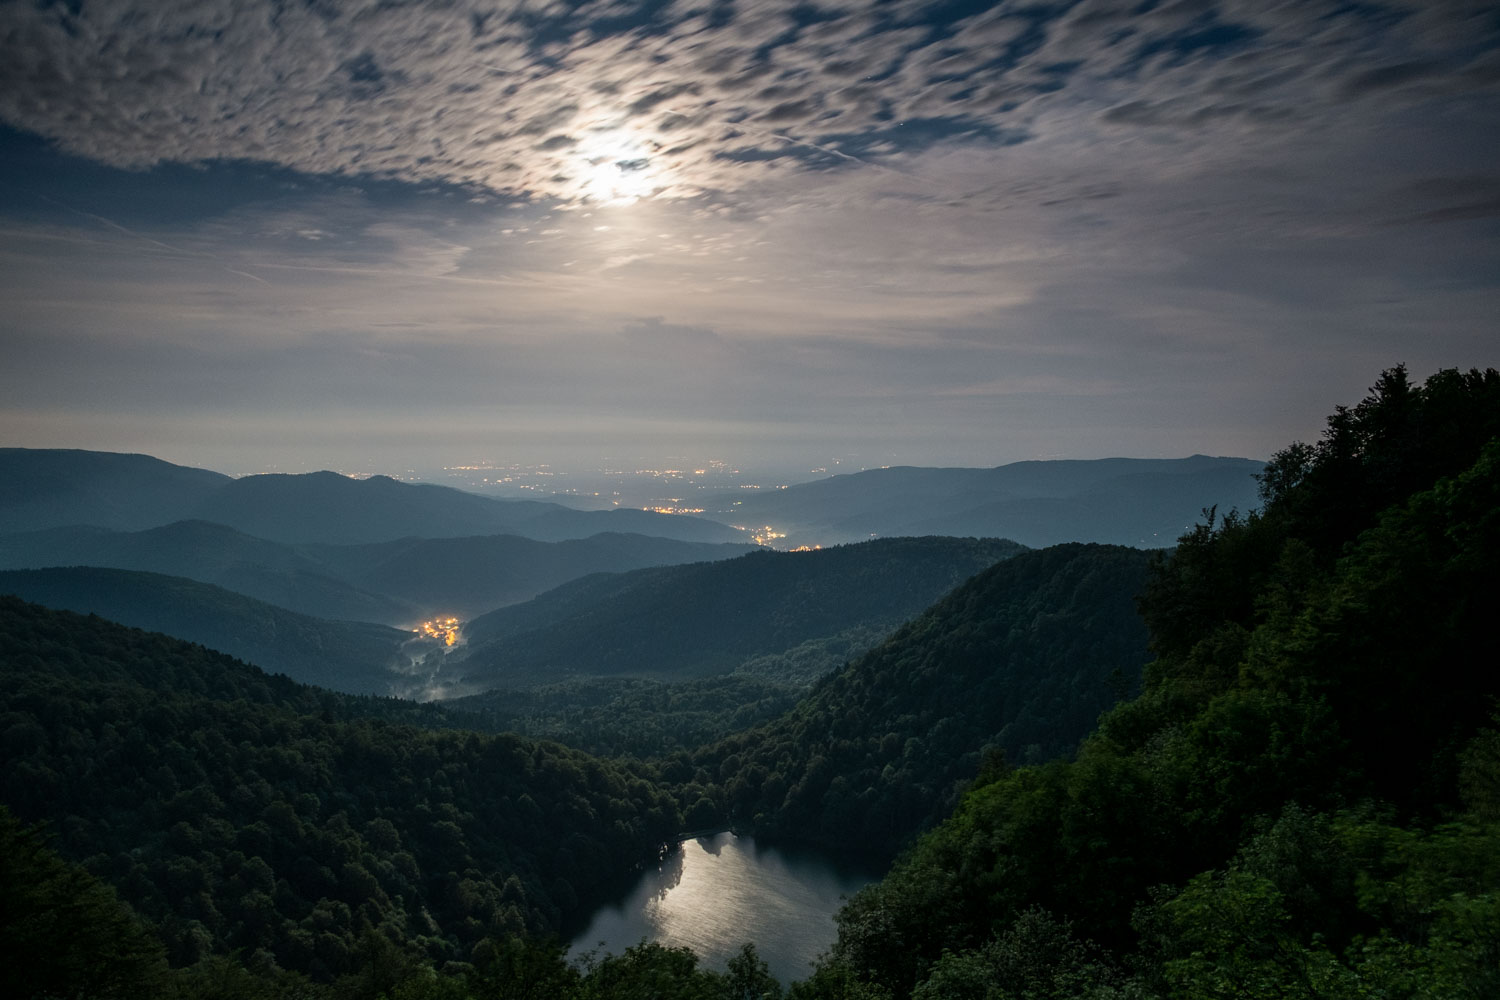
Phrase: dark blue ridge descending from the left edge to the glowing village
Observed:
(353, 657)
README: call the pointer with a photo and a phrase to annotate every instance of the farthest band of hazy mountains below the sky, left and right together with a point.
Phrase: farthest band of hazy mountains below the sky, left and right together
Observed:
(1144, 503)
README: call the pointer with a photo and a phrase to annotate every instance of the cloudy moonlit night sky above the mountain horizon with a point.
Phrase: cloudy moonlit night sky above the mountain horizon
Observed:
(320, 235)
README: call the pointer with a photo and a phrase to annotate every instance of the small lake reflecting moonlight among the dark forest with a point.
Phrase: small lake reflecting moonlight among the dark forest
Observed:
(716, 893)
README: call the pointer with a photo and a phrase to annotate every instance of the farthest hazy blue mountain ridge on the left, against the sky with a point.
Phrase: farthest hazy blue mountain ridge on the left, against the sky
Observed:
(130, 493)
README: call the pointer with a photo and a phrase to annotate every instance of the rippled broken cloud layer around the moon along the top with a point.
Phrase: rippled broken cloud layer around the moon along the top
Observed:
(530, 100)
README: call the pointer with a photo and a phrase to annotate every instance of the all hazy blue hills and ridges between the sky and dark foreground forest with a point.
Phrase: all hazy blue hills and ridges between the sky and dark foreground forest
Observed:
(560, 593)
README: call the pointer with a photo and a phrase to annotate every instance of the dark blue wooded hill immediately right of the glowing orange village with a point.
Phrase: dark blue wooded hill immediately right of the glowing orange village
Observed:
(709, 618)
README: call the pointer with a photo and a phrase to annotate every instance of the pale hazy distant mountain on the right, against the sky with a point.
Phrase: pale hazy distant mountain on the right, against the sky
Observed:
(1142, 503)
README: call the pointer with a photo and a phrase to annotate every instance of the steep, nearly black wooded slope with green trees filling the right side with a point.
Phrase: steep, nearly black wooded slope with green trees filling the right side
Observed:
(1304, 800)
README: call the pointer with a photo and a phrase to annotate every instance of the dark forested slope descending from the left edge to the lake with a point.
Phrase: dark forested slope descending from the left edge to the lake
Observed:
(244, 812)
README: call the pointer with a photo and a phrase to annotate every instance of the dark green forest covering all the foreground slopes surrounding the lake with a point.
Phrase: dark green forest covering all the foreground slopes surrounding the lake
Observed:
(1301, 798)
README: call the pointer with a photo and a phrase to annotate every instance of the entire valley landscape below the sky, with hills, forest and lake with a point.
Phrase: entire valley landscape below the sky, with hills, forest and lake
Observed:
(1058, 765)
